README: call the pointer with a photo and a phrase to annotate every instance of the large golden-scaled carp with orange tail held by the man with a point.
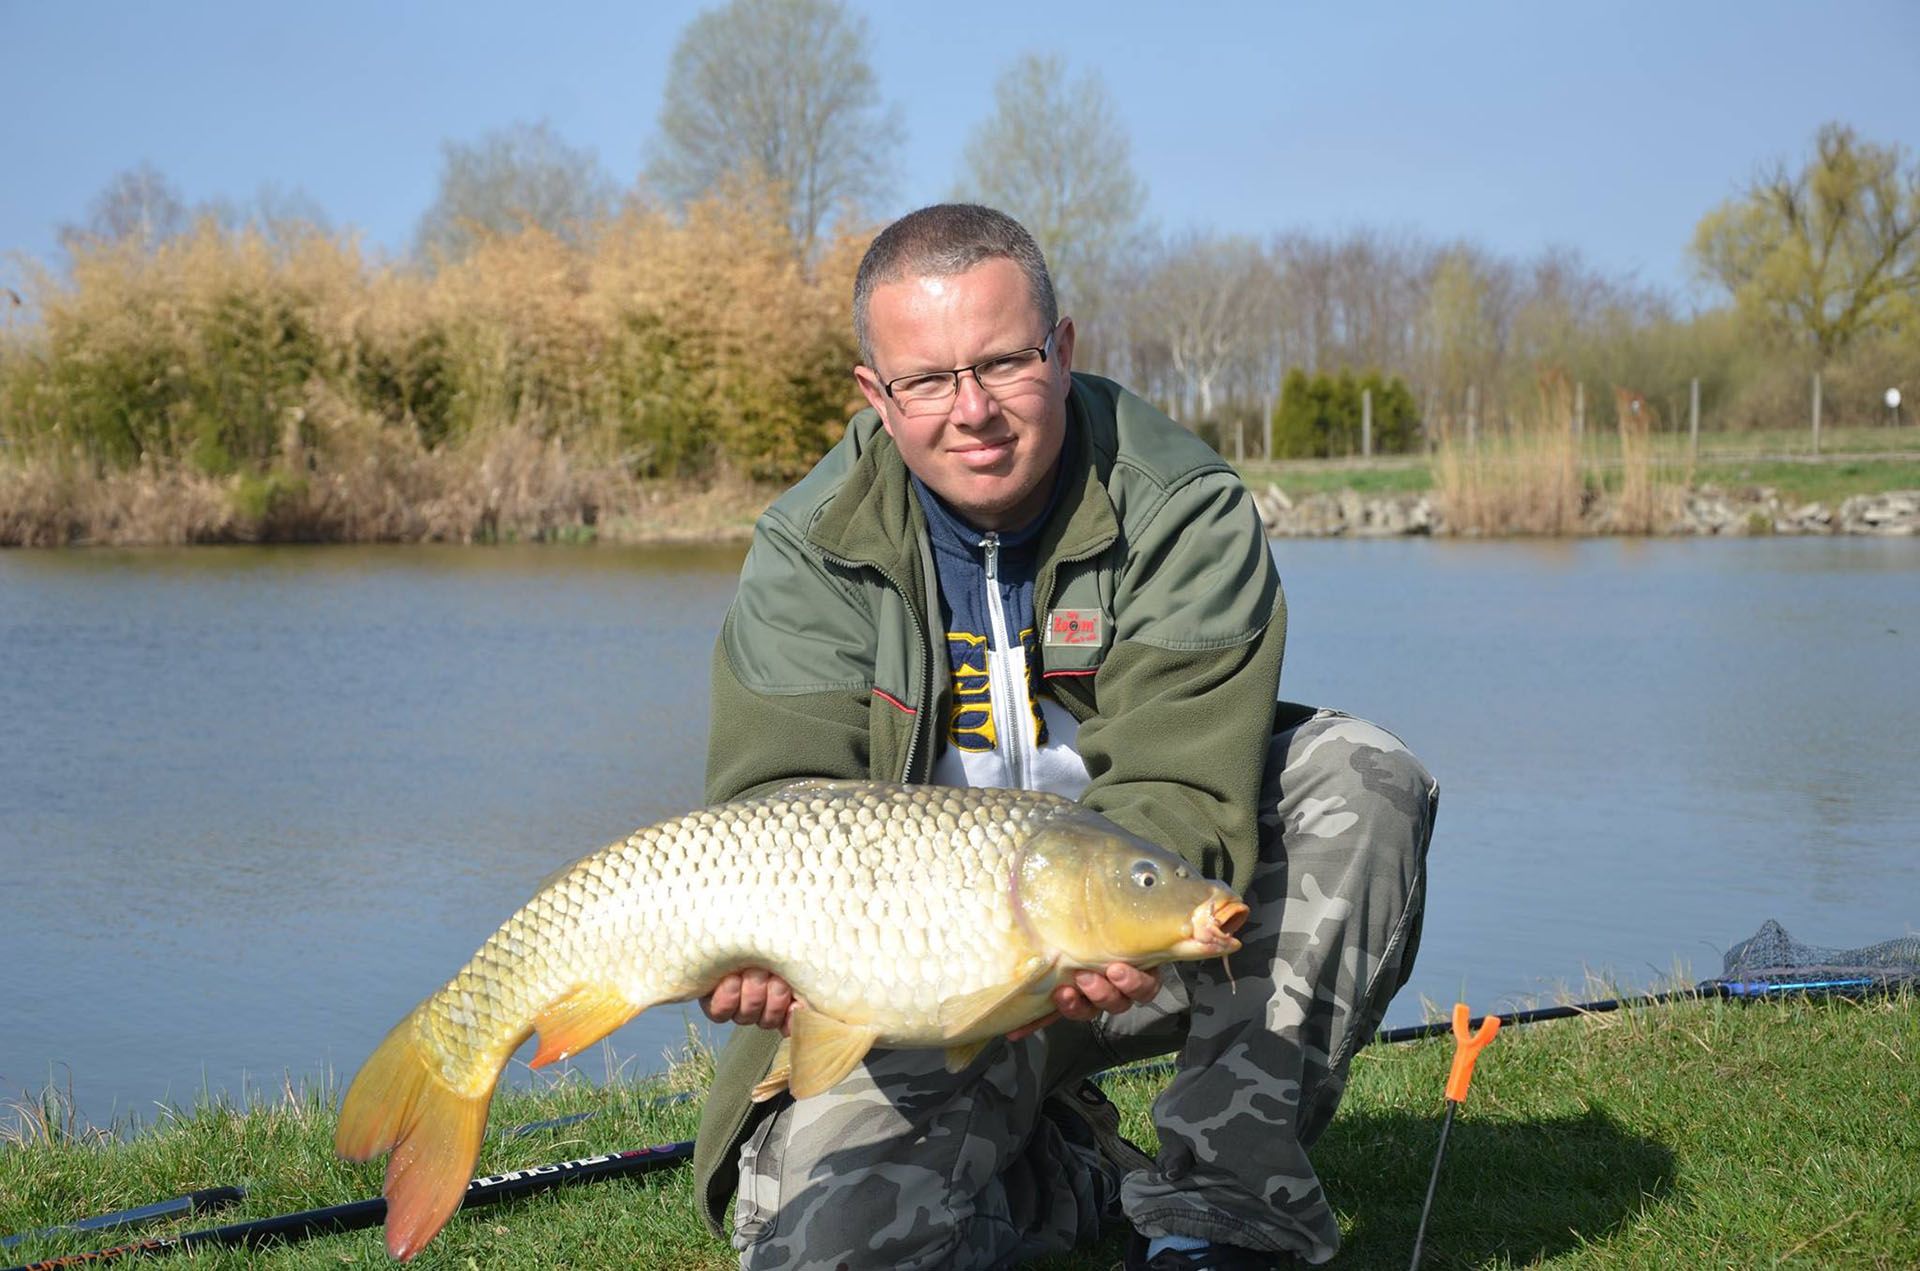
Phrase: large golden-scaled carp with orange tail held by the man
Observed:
(901, 915)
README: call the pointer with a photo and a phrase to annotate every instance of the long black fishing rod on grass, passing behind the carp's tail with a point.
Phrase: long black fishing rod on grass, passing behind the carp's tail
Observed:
(362, 1214)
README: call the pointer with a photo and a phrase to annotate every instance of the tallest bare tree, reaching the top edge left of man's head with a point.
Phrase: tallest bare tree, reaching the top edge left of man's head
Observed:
(777, 91)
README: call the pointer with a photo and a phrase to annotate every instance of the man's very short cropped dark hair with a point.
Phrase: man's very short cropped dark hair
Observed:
(944, 241)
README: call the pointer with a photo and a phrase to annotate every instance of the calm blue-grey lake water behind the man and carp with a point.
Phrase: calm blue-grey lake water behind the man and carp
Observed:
(256, 803)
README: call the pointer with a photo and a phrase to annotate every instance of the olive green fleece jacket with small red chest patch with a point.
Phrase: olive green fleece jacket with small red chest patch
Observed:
(832, 661)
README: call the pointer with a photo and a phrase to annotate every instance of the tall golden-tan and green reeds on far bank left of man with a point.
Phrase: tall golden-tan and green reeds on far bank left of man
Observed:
(235, 389)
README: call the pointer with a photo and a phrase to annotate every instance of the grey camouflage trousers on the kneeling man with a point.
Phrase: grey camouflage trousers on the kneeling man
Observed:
(911, 1166)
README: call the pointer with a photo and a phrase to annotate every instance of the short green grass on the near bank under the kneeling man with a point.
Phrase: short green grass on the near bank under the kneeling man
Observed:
(1706, 1134)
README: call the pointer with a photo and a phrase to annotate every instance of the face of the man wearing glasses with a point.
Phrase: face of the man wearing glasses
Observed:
(988, 454)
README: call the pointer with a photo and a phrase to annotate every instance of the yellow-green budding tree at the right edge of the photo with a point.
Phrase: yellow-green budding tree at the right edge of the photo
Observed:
(1827, 254)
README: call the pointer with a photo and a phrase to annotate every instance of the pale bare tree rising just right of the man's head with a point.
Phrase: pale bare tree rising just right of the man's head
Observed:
(1057, 158)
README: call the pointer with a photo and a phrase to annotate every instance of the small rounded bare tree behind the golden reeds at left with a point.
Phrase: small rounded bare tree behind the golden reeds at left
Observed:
(512, 180)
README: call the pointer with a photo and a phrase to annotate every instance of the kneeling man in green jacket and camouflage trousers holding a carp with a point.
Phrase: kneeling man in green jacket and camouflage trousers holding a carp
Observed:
(1013, 575)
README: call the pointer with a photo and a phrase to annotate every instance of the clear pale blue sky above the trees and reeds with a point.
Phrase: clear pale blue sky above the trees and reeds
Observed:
(1602, 128)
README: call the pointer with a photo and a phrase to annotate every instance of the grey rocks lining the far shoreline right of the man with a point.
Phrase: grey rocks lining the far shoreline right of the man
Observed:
(1706, 512)
